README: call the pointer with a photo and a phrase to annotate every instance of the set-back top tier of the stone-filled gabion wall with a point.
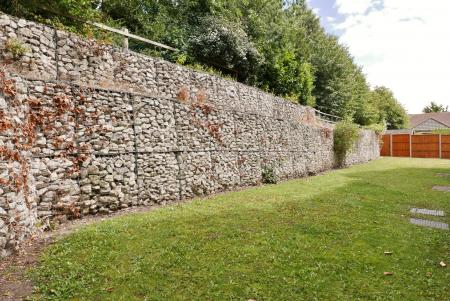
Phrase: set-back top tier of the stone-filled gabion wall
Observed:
(58, 55)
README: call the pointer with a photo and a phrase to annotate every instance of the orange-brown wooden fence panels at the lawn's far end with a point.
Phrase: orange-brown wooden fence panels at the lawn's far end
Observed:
(416, 146)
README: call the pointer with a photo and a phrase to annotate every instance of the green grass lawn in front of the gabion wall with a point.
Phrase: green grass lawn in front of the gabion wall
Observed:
(319, 238)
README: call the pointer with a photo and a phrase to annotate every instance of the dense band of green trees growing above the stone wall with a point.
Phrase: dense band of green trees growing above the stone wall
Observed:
(278, 46)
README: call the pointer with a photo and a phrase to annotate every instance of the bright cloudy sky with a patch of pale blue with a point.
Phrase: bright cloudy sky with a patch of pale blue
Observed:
(401, 44)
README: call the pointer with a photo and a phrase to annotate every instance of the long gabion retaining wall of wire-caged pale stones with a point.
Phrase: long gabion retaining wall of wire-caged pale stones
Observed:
(132, 130)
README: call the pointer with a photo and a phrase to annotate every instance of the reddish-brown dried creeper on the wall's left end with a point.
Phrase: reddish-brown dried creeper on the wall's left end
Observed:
(52, 120)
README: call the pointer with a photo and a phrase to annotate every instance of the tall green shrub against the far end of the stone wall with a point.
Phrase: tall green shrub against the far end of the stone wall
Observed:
(345, 133)
